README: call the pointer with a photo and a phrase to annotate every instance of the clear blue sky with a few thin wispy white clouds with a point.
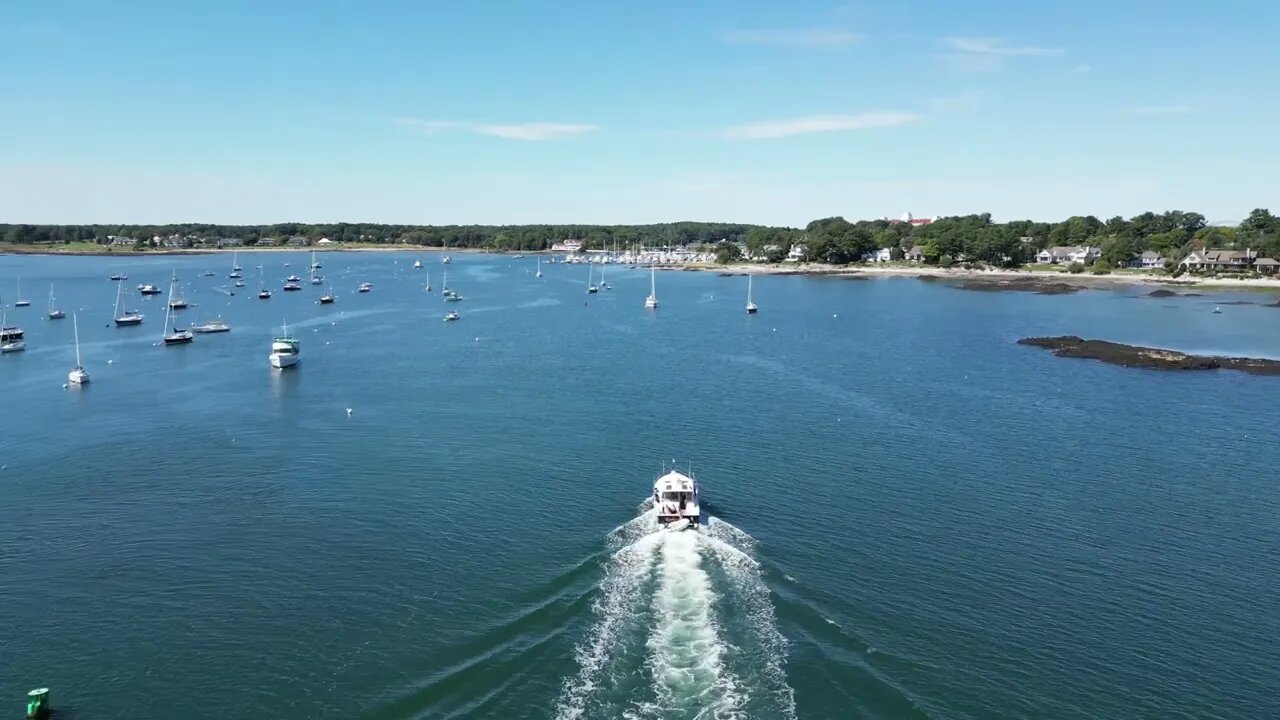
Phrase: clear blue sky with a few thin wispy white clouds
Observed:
(589, 112)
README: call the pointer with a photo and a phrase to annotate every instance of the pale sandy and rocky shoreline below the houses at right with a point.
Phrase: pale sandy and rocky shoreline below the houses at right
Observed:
(995, 276)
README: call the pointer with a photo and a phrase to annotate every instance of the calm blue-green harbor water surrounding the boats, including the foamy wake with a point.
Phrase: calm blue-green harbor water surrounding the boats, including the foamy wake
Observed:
(915, 517)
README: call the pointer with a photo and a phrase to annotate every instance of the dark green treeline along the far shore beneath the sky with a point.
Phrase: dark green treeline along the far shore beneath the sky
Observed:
(831, 240)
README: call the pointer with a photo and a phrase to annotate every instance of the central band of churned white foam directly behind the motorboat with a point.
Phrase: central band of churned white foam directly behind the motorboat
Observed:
(685, 649)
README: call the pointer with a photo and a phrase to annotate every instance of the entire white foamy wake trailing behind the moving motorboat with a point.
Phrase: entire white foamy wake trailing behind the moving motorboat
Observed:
(684, 628)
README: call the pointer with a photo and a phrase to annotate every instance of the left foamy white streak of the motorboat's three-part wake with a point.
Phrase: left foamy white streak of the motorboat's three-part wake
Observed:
(620, 601)
